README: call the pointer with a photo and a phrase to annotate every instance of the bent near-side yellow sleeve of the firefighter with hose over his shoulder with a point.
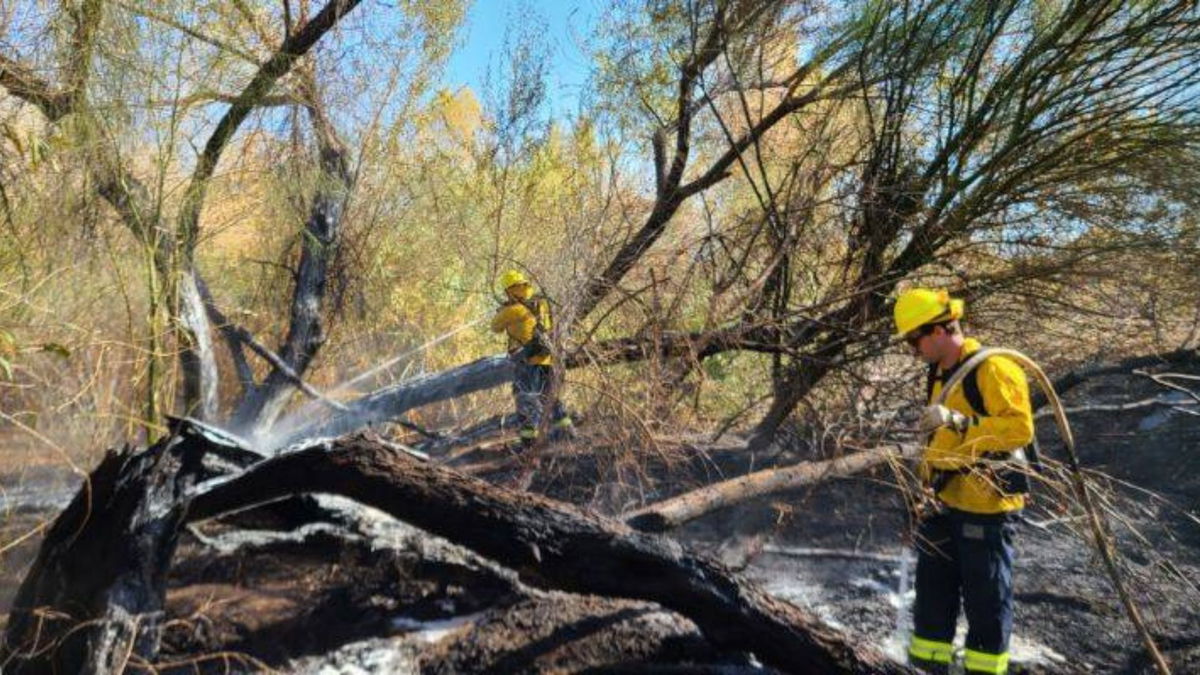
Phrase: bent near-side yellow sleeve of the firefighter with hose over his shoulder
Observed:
(1009, 425)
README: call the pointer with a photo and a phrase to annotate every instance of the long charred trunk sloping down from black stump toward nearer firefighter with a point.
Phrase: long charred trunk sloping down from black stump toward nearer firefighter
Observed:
(556, 546)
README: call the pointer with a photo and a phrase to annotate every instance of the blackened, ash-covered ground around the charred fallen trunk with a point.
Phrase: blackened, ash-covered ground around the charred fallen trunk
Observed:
(275, 592)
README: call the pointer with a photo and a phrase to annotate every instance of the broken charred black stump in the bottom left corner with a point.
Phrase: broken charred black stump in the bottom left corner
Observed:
(94, 596)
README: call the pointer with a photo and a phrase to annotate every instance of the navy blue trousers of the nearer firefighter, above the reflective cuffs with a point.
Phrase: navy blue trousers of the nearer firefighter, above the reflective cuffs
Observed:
(965, 559)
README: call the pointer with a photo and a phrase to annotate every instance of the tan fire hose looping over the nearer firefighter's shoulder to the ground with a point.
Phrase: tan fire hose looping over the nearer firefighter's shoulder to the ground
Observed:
(1079, 483)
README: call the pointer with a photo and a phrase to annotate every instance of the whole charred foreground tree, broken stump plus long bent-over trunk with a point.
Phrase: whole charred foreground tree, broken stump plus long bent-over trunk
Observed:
(93, 598)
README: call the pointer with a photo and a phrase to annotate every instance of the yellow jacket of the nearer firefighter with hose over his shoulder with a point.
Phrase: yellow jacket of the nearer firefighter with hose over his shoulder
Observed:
(1007, 426)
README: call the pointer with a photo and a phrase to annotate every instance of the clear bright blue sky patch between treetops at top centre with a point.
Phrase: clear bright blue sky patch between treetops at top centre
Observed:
(482, 40)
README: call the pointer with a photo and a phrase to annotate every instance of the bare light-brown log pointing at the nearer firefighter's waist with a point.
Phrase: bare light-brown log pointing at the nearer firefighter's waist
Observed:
(675, 512)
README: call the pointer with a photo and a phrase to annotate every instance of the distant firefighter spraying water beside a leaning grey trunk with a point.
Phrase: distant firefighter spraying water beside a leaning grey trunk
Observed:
(525, 318)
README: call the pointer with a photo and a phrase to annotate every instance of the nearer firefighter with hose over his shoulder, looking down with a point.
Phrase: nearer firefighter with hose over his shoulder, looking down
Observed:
(965, 543)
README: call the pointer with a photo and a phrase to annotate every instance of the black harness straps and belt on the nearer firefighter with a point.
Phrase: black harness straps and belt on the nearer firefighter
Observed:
(1011, 468)
